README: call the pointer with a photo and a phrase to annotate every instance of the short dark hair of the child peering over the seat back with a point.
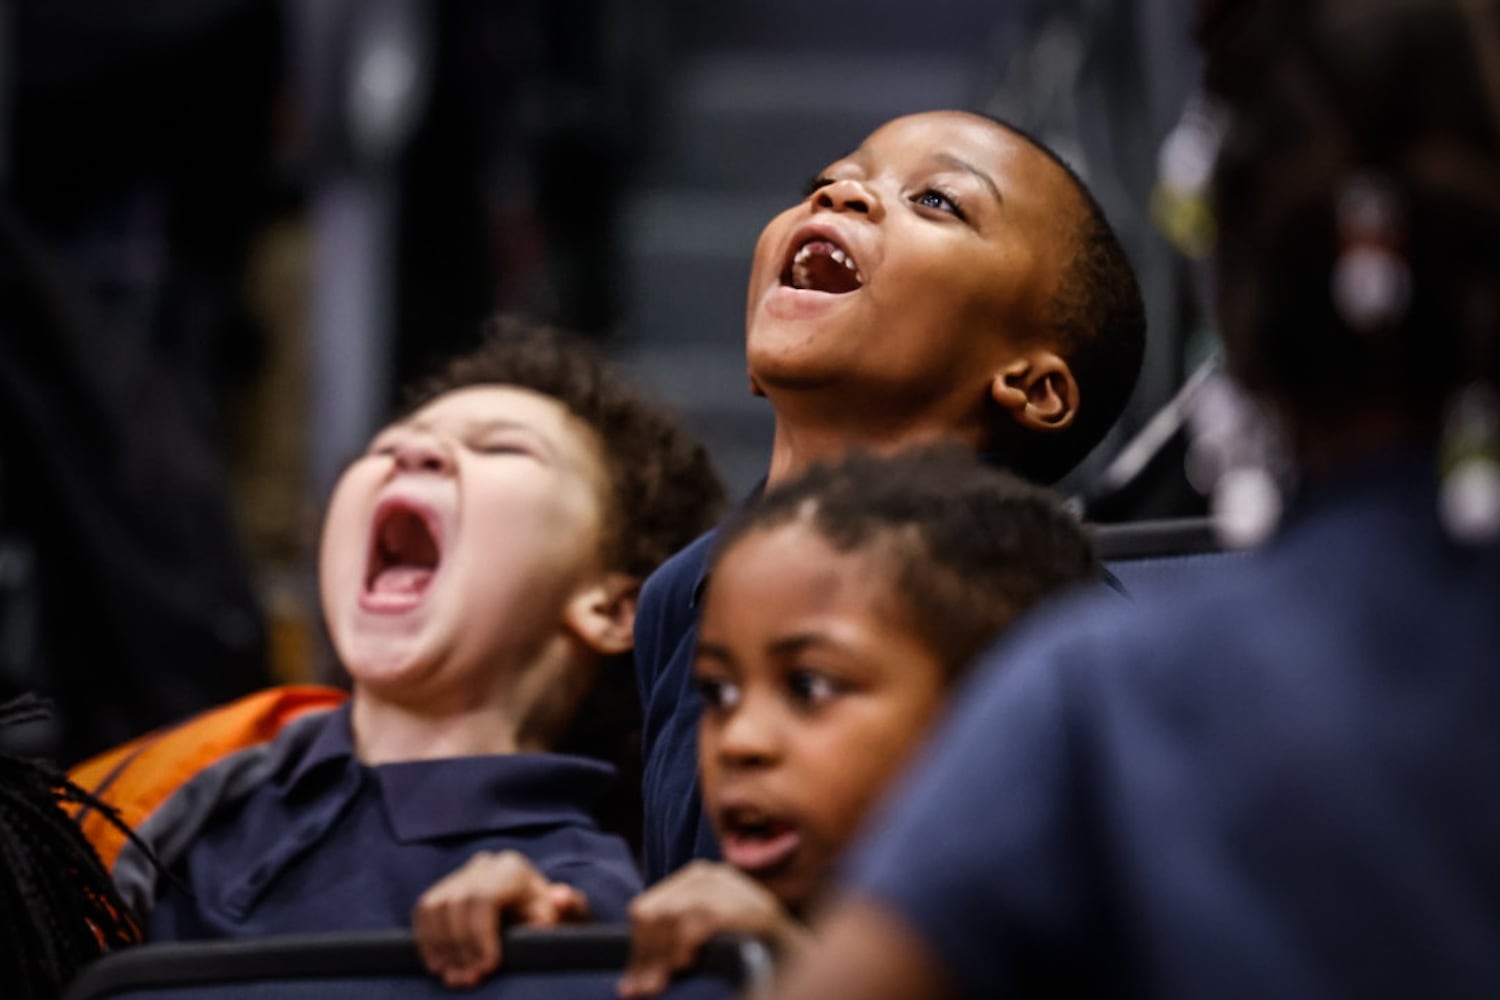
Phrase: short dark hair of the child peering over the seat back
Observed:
(970, 548)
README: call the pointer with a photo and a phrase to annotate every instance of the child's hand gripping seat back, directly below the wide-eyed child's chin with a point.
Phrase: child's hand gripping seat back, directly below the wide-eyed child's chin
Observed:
(673, 920)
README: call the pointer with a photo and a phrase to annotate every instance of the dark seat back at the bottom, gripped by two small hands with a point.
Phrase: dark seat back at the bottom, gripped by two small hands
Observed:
(563, 963)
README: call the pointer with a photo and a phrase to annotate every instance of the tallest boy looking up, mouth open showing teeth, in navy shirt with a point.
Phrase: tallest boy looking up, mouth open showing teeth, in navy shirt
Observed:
(949, 278)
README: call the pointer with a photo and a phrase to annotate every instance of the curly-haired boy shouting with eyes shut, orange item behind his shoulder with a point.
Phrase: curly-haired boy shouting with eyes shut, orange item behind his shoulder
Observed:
(479, 575)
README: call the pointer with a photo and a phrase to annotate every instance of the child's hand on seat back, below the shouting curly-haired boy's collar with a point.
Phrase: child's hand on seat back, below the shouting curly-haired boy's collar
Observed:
(457, 921)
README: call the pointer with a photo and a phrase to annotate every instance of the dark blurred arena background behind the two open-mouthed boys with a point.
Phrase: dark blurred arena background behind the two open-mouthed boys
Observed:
(230, 230)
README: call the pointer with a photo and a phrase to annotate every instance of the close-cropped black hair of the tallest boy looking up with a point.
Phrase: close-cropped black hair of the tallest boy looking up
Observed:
(1100, 322)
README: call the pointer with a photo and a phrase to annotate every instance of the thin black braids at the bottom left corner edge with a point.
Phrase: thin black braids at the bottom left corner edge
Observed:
(59, 909)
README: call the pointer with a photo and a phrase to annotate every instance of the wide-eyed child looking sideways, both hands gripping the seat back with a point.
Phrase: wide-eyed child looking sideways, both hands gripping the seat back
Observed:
(839, 614)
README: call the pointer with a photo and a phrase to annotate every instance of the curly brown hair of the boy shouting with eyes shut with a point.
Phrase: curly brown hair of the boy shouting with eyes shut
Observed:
(664, 490)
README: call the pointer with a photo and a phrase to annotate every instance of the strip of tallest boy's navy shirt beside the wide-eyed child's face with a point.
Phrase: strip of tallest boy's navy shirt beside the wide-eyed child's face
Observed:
(667, 633)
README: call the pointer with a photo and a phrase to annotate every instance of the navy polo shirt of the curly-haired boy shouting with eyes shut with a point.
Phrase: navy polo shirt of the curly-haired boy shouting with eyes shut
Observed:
(329, 843)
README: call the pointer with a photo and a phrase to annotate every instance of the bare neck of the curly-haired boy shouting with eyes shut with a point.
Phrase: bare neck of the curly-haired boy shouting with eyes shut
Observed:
(523, 711)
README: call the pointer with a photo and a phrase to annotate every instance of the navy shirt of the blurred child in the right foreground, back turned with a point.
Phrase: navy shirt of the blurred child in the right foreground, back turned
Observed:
(1282, 783)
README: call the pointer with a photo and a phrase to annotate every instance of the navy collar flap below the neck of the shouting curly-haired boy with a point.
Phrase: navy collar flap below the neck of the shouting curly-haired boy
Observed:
(427, 800)
